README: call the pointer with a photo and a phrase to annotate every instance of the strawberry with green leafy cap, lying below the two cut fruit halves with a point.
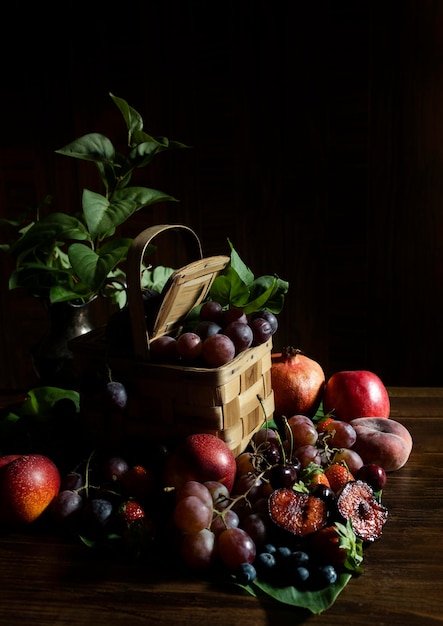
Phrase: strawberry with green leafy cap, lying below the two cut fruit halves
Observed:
(338, 545)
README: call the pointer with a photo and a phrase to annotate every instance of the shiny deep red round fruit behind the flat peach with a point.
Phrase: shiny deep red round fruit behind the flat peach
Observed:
(356, 393)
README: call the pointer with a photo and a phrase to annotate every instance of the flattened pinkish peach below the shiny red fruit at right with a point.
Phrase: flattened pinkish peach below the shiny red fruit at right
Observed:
(382, 441)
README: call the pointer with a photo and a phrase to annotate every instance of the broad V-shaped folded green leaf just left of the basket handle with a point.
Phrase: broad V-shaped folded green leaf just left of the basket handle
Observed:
(93, 267)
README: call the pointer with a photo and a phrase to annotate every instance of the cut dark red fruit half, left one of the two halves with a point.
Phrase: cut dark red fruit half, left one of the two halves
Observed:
(299, 513)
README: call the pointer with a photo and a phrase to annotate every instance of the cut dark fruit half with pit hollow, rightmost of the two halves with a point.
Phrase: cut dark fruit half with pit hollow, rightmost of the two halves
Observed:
(357, 503)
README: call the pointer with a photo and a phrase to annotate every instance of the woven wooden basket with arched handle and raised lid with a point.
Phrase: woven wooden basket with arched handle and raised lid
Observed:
(170, 401)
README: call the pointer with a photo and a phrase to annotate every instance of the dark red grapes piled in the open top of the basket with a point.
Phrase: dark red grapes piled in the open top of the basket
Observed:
(219, 335)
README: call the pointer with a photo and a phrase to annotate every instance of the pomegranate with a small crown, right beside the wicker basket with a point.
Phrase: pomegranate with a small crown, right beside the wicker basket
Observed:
(298, 383)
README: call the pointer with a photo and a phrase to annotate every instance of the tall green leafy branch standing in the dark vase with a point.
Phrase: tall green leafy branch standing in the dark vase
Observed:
(72, 258)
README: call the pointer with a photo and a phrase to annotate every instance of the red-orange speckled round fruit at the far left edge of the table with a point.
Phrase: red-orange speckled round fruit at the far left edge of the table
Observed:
(28, 484)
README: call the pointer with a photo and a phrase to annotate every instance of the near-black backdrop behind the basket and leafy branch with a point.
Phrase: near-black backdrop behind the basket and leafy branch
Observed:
(317, 148)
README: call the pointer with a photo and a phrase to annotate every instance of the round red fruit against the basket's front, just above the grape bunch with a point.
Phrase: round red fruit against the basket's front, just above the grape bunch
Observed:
(200, 457)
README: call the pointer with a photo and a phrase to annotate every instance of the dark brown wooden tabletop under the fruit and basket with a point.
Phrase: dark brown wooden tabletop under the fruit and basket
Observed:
(45, 579)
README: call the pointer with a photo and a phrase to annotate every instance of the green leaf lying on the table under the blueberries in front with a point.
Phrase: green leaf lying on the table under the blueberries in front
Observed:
(314, 601)
